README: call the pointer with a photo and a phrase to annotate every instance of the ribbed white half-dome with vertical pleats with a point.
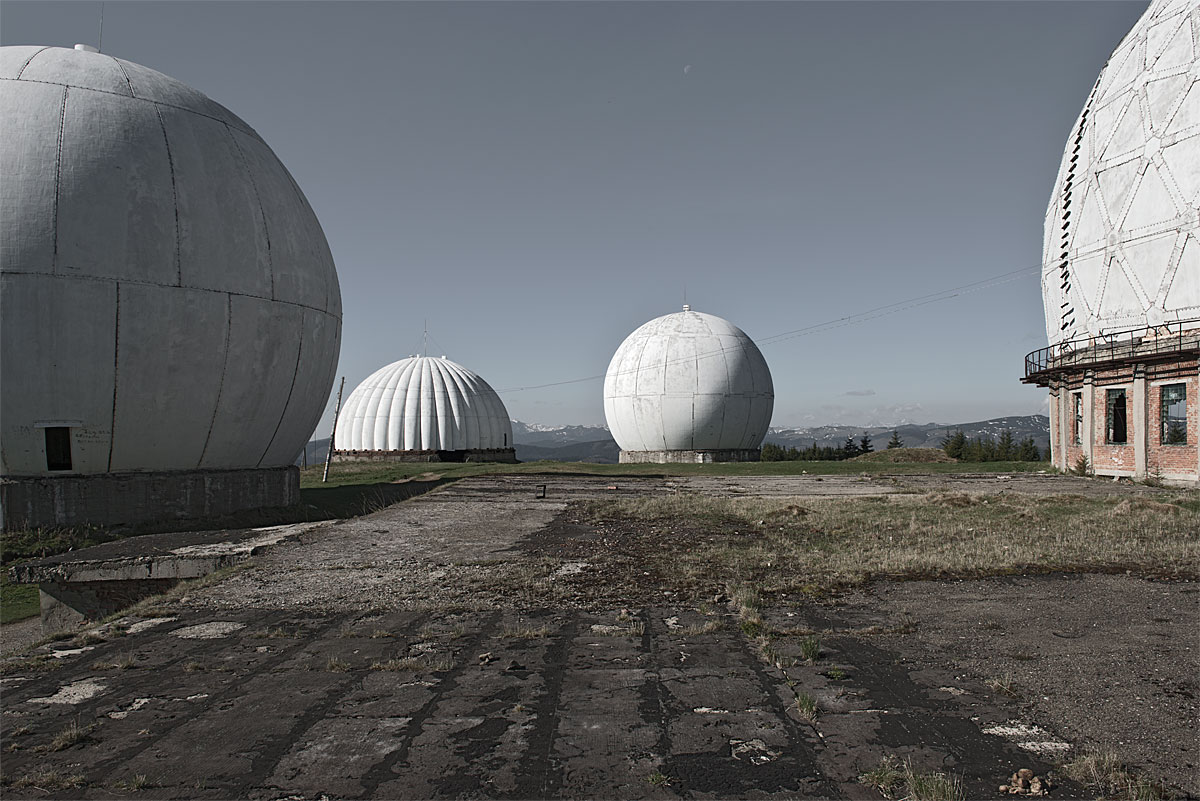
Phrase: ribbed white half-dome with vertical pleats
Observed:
(423, 403)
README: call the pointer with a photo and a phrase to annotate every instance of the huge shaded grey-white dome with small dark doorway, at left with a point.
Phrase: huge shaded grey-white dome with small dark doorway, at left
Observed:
(167, 292)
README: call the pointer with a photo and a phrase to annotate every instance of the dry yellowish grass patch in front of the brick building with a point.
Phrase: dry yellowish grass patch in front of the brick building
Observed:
(821, 545)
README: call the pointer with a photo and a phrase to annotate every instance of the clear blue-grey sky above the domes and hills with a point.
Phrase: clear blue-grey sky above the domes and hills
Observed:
(538, 179)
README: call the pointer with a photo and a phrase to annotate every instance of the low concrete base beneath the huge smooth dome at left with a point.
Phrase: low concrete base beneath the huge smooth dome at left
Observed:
(125, 498)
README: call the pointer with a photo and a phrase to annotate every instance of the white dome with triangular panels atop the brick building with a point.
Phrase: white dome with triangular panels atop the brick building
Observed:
(1121, 234)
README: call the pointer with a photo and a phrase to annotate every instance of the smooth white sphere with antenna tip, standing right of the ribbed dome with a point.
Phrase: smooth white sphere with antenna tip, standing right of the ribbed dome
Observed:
(688, 382)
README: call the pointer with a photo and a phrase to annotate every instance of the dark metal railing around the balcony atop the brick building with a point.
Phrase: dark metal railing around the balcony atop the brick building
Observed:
(1148, 342)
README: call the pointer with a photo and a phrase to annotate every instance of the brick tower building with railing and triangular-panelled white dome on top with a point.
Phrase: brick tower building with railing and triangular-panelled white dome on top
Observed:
(1121, 262)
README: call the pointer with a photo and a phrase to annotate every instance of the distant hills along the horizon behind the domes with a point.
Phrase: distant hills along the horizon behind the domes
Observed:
(595, 444)
